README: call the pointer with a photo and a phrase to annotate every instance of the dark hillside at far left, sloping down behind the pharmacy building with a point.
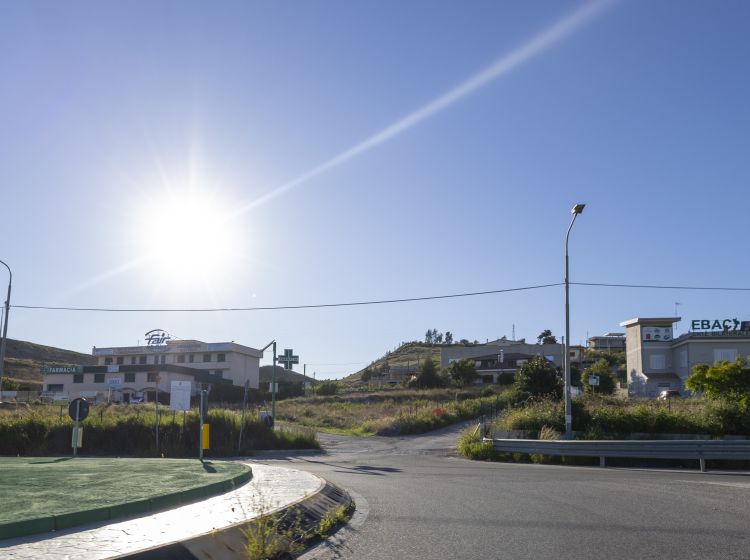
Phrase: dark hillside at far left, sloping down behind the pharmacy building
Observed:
(24, 360)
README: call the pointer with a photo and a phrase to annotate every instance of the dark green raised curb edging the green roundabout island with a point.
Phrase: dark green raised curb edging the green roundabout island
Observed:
(157, 503)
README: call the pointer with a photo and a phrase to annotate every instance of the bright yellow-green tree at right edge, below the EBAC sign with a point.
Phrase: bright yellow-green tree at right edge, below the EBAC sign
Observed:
(723, 380)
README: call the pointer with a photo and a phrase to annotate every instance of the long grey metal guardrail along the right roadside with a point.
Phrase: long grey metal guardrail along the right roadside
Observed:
(732, 450)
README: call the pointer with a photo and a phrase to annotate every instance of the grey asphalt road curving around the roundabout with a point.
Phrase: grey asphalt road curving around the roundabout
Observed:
(416, 499)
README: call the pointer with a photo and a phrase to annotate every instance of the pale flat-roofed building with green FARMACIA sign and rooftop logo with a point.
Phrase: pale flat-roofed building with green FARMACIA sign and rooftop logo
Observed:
(130, 372)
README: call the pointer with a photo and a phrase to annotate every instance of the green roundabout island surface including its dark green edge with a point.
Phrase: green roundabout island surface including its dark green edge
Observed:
(46, 493)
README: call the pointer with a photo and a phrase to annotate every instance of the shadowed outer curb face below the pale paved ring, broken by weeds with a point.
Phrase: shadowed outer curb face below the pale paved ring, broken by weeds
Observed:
(229, 543)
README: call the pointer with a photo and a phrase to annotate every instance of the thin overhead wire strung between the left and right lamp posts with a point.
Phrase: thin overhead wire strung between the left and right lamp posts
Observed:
(281, 307)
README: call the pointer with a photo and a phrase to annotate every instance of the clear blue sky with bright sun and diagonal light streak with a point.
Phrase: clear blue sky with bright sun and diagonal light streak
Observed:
(113, 114)
